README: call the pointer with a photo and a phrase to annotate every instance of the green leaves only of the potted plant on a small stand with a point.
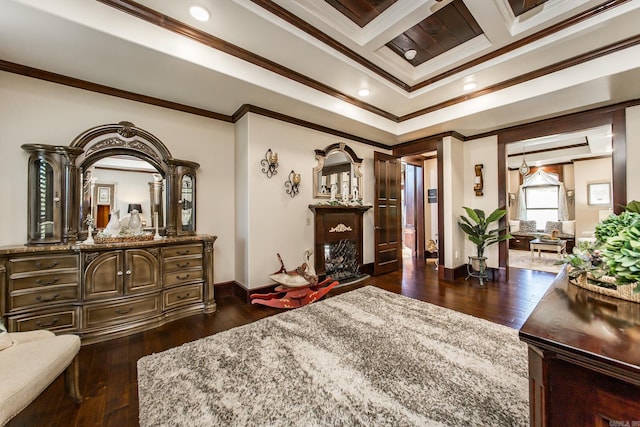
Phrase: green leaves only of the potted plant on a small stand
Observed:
(476, 227)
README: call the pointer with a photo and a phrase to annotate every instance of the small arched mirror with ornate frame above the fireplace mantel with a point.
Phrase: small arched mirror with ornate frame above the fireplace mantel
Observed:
(339, 166)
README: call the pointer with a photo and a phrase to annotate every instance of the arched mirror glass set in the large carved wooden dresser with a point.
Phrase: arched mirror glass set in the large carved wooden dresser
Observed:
(123, 185)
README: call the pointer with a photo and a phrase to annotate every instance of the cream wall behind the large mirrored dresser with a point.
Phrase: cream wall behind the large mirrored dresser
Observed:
(34, 111)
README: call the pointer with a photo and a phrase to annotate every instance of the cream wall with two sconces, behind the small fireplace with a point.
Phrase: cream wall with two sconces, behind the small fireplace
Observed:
(276, 222)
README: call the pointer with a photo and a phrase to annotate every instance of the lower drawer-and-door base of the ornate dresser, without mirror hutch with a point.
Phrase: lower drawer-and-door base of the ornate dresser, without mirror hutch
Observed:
(103, 291)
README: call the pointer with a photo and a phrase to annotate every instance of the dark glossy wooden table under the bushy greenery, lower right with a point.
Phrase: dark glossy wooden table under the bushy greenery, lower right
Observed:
(584, 358)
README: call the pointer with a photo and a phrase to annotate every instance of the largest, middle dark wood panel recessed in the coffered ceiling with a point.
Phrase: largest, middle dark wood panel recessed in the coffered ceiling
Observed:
(447, 28)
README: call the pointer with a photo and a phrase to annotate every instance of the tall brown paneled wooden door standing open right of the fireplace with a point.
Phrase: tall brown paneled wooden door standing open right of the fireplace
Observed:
(387, 214)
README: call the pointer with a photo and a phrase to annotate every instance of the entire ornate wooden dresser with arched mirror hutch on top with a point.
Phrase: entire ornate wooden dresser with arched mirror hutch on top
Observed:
(65, 282)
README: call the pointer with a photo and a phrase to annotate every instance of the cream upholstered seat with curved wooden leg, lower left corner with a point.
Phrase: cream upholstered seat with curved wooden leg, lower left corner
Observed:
(29, 362)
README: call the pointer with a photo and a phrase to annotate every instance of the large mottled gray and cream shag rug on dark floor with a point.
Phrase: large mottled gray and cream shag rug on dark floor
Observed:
(363, 358)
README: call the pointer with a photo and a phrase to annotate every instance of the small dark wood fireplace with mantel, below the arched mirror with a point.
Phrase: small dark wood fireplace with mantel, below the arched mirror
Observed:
(338, 241)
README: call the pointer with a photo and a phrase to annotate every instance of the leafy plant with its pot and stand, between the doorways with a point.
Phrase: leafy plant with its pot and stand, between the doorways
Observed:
(476, 227)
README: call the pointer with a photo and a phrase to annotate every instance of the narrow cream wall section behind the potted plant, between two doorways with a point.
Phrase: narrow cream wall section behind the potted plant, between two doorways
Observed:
(481, 151)
